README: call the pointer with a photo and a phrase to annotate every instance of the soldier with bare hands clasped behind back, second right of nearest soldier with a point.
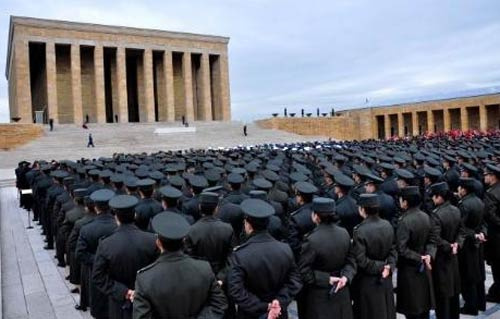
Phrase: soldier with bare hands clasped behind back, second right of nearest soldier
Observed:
(326, 266)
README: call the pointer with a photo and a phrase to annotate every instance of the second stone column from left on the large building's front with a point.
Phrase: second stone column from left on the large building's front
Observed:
(50, 55)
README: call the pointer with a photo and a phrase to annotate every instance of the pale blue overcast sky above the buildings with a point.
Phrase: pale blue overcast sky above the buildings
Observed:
(315, 53)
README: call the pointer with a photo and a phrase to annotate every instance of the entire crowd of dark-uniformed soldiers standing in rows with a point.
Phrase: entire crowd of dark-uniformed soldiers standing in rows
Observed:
(243, 232)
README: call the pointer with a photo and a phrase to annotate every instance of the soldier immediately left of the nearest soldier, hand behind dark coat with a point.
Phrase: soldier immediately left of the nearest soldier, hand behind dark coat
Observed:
(120, 255)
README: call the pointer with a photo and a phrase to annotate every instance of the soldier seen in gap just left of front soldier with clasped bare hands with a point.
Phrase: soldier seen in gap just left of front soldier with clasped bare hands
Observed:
(300, 220)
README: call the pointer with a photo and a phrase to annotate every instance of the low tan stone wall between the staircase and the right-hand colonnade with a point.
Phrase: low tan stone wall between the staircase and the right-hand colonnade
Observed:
(338, 127)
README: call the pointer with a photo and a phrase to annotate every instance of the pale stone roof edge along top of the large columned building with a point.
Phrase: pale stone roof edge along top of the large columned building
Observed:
(80, 26)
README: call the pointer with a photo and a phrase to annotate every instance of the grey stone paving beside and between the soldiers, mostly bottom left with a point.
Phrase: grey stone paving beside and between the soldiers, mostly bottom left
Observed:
(33, 286)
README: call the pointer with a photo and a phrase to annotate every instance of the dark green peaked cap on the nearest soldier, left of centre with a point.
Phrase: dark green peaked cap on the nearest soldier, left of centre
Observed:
(170, 226)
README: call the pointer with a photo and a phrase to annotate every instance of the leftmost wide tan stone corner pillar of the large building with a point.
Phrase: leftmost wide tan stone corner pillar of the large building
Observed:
(22, 100)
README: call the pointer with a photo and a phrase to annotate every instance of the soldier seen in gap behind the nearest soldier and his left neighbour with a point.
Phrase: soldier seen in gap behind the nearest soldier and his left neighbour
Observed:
(147, 207)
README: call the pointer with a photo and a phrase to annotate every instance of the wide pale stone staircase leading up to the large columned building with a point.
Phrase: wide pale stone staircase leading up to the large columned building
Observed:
(69, 141)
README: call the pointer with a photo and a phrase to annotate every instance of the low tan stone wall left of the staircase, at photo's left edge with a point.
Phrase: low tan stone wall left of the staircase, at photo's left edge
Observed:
(13, 135)
